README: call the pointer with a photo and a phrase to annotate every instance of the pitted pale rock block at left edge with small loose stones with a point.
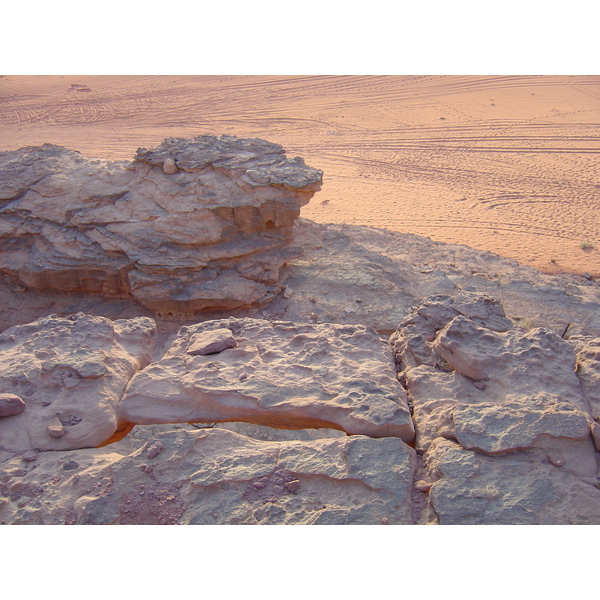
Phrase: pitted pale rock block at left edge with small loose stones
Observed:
(72, 372)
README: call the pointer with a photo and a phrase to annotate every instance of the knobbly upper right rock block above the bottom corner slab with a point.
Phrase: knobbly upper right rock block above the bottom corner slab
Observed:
(531, 397)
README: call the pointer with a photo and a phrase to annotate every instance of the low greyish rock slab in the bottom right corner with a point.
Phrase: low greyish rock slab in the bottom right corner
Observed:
(521, 488)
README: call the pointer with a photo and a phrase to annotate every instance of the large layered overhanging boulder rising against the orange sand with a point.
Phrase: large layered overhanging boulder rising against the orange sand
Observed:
(190, 225)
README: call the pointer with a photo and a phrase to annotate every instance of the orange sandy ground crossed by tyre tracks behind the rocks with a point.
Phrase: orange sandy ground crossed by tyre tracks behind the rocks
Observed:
(500, 163)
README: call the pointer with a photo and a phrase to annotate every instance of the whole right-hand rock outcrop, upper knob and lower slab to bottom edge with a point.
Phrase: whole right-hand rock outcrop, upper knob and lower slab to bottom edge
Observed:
(500, 415)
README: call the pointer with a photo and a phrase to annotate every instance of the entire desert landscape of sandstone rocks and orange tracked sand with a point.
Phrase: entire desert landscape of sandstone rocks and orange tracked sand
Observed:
(299, 300)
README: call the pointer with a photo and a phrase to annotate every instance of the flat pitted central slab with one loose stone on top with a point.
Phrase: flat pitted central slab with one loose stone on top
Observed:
(279, 374)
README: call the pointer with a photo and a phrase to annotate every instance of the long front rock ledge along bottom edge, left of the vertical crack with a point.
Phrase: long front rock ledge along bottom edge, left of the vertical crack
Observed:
(214, 476)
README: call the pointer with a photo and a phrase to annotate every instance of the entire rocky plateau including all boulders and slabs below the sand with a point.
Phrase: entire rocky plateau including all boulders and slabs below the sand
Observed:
(178, 347)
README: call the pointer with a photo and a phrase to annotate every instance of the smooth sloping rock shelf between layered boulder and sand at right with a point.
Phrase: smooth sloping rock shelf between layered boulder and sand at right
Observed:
(392, 272)
